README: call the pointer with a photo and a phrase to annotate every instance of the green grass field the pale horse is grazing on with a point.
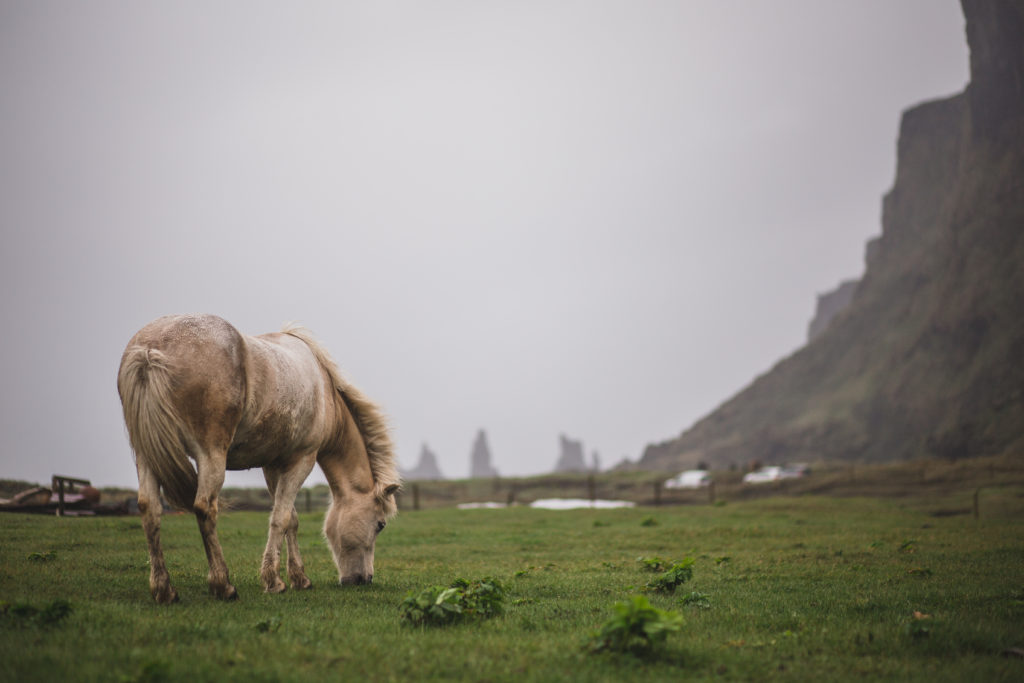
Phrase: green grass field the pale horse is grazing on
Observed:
(798, 588)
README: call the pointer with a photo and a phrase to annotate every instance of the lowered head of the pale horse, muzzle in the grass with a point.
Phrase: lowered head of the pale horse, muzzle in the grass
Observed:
(352, 527)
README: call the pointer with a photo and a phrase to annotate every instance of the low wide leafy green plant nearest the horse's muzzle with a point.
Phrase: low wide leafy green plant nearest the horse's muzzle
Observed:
(439, 606)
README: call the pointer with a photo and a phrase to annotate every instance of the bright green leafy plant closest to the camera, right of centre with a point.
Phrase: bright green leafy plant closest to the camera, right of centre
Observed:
(636, 628)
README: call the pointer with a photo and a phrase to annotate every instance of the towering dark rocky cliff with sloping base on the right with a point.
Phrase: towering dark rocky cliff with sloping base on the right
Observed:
(927, 359)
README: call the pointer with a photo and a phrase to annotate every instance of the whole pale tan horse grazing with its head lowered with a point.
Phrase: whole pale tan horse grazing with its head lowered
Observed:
(194, 388)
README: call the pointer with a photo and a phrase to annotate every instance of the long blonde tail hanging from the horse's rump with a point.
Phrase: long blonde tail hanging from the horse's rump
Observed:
(156, 432)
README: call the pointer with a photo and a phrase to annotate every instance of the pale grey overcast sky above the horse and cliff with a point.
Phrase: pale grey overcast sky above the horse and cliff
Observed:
(593, 219)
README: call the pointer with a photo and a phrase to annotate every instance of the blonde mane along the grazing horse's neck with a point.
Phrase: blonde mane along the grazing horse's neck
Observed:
(370, 419)
